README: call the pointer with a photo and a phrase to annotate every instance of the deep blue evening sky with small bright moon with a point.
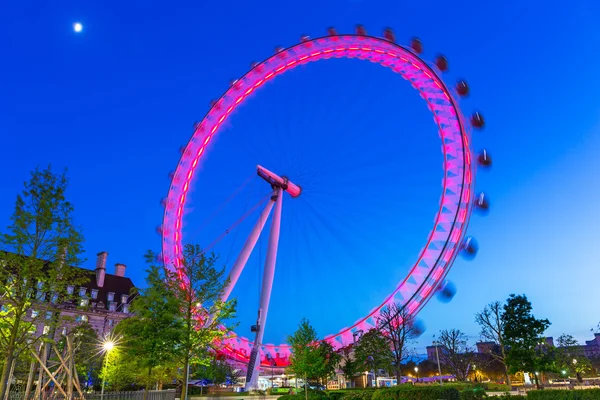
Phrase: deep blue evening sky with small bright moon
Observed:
(115, 102)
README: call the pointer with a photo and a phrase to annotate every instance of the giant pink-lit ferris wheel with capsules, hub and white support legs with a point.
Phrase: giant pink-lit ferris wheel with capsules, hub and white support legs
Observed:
(447, 238)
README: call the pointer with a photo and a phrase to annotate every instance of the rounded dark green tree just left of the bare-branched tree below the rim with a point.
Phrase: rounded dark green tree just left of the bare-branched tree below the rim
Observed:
(373, 352)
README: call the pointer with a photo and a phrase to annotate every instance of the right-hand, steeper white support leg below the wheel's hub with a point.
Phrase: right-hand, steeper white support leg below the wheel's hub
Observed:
(265, 294)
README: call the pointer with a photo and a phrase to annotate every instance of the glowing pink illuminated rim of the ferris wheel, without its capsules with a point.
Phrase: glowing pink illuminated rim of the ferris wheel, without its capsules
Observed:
(445, 239)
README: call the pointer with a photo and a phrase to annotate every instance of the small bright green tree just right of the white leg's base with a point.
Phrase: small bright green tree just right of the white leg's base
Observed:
(306, 358)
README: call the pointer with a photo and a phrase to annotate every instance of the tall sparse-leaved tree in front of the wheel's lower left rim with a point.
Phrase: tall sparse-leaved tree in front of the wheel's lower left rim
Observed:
(200, 305)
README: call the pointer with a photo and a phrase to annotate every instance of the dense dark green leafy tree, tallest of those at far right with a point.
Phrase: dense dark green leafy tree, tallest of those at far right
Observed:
(523, 335)
